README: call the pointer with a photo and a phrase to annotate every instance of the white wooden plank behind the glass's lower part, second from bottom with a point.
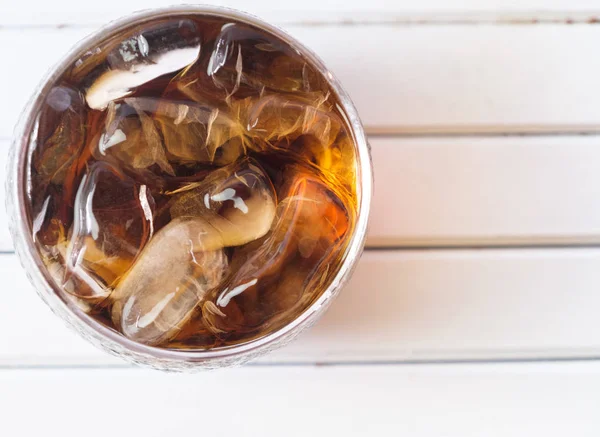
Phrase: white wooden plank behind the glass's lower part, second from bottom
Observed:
(399, 306)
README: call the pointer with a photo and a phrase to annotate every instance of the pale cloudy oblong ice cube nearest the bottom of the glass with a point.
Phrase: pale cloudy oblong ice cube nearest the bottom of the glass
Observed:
(182, 262)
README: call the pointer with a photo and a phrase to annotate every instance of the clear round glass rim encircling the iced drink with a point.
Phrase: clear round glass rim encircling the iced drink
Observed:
(94, 330)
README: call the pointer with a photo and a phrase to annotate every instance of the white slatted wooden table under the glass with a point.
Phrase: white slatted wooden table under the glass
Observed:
(475, 310)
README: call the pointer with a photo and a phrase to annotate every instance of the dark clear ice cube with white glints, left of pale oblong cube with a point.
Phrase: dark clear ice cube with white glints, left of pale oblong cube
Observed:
(112, 222)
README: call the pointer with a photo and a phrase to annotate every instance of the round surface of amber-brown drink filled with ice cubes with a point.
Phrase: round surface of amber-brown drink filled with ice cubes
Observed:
(192, 183)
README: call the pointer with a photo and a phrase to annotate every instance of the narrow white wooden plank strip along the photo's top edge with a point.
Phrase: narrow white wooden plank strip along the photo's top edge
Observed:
(69, 12)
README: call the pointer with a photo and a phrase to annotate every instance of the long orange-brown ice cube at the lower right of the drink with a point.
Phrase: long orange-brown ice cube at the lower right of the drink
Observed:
(271, 276)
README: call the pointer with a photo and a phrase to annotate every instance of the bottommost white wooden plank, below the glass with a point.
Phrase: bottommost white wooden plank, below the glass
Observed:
(544, 399)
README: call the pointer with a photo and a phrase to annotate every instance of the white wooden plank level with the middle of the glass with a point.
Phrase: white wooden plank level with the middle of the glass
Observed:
(473, 191)
